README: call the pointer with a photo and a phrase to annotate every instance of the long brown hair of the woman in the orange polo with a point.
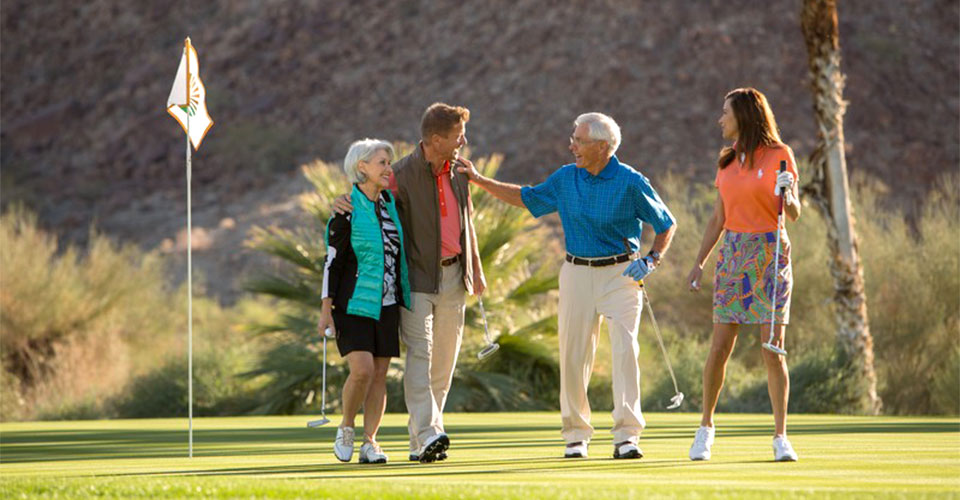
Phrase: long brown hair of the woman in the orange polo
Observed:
(755, 122)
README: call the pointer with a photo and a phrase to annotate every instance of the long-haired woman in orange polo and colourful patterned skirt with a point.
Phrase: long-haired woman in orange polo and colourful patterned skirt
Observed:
(749, 284)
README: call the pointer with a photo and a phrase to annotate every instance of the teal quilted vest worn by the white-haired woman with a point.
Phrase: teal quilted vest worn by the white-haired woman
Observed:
(366, 239)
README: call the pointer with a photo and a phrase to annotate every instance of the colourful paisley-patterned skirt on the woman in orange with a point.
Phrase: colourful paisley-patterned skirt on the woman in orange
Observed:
(744, 280)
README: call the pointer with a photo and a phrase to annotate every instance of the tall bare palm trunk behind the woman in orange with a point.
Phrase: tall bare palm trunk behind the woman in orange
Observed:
(829, 191)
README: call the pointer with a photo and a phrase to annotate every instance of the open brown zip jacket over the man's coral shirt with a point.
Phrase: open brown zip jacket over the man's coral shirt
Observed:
(418, 204)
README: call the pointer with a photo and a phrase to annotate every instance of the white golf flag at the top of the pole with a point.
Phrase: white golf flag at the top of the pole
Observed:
(187, 101)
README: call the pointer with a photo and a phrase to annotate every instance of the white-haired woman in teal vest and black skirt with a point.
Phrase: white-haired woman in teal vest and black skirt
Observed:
(364, 284)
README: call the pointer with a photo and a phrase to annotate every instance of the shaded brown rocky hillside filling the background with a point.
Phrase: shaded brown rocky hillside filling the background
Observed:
(83, 87)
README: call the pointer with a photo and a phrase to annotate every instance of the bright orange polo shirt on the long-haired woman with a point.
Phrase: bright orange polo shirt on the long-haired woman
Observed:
(749, 204)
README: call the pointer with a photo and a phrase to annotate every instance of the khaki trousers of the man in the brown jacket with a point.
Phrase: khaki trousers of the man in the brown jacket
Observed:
(432, 331)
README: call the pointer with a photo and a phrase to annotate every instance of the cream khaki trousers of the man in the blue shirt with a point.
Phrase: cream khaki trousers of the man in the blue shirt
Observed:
(588, 294)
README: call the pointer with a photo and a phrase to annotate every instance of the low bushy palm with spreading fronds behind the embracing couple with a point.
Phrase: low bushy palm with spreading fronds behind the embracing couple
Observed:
(522, 375)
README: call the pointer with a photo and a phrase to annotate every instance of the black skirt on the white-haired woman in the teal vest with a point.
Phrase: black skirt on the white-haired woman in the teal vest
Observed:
(378, 337)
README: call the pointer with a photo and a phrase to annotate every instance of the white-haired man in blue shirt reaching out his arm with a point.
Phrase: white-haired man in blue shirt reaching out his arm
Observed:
(601, 202)
